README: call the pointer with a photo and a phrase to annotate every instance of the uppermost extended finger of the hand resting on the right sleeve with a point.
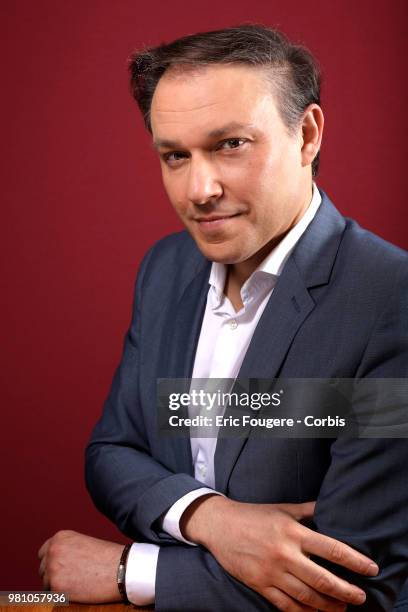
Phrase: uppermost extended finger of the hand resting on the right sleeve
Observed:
(338, 552)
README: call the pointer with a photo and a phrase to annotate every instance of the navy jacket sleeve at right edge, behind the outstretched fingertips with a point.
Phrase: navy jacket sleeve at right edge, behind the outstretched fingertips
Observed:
(363, 500)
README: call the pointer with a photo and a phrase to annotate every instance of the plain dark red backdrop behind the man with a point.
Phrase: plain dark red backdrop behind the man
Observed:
(82, 201)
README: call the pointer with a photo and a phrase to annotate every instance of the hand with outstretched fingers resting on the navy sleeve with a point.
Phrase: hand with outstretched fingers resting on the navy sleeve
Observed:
(268, 549)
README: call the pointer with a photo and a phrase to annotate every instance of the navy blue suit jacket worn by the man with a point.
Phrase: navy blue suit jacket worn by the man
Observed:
(339, 309)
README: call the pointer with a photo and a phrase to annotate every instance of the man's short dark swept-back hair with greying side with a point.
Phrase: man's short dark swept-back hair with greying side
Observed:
(295, 73)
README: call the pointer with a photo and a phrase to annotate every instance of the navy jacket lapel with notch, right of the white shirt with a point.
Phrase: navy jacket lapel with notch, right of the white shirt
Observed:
(310, 265)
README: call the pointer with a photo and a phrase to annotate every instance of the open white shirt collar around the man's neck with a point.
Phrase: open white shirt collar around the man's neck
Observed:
(272, 265)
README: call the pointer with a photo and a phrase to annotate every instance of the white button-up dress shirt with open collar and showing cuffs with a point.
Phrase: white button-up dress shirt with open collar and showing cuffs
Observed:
(224, 340)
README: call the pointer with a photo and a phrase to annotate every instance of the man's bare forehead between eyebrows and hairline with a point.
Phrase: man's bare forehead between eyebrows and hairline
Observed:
(206, 97)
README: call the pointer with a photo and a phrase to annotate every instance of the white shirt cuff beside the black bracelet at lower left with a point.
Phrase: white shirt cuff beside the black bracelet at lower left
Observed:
(140, 579)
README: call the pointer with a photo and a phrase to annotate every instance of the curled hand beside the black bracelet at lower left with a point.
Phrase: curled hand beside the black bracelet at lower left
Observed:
(83, 567)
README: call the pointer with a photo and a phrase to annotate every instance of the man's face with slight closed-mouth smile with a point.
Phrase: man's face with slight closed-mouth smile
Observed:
(231, 170)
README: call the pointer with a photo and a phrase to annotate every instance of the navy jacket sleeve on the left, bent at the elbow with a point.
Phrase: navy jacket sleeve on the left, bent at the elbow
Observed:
(125, 482)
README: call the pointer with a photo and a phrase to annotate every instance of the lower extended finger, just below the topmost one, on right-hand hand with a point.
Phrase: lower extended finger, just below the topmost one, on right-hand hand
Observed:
(322, 581)
